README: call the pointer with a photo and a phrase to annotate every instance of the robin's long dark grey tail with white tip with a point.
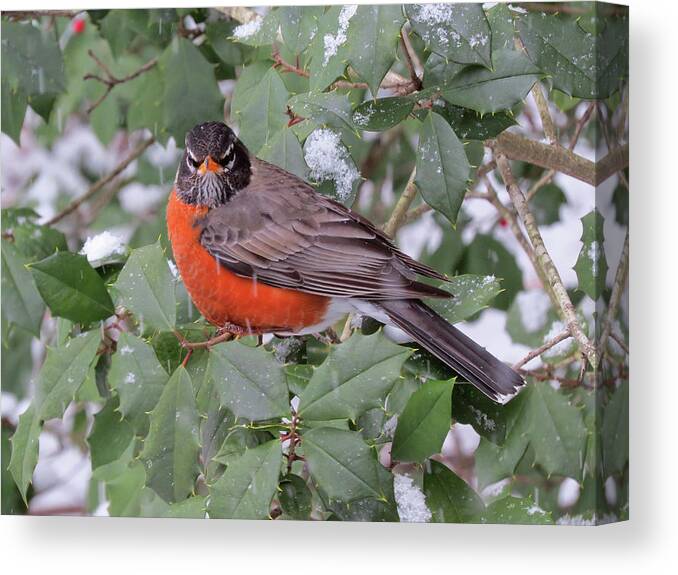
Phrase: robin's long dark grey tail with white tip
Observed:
(473, 362)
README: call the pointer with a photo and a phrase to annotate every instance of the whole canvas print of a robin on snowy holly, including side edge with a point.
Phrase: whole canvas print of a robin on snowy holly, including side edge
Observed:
(330, 263)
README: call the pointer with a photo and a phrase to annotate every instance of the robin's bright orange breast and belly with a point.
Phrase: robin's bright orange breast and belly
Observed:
(223, 297)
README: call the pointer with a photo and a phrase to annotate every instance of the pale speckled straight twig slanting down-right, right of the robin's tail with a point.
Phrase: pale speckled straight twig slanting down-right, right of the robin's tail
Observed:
(559, 293)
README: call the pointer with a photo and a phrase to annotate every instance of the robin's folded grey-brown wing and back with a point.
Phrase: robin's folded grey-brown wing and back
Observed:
(282, 232)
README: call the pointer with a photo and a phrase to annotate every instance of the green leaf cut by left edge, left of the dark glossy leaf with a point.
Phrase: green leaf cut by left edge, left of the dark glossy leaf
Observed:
(21, 302)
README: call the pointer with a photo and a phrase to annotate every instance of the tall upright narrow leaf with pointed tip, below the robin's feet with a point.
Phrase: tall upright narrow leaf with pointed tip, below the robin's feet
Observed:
(171, 448)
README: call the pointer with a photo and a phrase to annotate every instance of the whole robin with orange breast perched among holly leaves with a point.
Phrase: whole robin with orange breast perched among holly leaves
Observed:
(261, 251)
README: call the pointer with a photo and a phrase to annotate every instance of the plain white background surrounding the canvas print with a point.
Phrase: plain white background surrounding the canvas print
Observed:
(646, 544)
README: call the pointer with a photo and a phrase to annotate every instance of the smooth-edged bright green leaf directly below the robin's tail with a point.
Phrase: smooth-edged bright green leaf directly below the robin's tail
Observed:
(424, 423)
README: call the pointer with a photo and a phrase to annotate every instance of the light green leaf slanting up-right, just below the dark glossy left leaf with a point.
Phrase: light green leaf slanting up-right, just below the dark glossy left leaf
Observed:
(63, 372)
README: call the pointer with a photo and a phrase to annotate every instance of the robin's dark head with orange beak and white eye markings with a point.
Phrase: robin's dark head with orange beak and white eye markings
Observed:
(215, 165)
